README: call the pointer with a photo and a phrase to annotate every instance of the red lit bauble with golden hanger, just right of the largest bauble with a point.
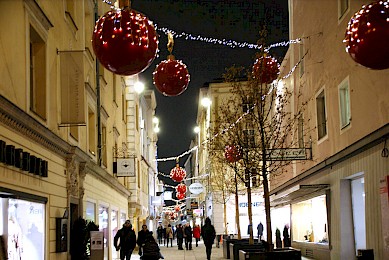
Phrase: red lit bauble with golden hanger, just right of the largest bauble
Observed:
(171, 77)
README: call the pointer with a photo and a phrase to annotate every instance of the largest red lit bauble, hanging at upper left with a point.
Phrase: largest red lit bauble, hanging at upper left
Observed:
(125, 41)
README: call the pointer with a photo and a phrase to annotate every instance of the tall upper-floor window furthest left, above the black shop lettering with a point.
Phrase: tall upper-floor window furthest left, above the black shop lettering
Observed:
(37, 81)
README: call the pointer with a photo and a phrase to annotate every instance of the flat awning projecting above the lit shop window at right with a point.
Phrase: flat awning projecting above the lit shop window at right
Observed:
(296, 192)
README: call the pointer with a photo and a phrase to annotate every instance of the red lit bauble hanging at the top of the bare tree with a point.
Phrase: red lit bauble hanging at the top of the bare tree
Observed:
(266, 69)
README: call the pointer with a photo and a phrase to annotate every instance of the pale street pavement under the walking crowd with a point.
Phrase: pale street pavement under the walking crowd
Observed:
(198, 253)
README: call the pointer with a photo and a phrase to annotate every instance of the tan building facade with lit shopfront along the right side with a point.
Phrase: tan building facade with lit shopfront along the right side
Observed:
(338, 200)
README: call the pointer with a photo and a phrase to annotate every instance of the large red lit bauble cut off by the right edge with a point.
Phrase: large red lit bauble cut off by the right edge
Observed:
(367, 36)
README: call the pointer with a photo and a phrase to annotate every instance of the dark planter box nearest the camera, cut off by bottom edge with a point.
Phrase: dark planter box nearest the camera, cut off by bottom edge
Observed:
(278, 254)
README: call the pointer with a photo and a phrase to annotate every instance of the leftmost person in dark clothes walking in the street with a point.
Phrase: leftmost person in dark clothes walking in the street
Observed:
(127, 240)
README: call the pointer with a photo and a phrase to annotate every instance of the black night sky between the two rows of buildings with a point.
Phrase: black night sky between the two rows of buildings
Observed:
(228, 19)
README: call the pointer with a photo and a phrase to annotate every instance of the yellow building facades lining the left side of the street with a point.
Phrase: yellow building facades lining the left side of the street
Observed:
(65, 123)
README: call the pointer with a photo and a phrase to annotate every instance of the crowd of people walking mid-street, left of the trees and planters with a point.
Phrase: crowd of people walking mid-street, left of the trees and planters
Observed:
(126, 240)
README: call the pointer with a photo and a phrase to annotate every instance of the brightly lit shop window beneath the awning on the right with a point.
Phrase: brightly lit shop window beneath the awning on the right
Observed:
(309, 219)
